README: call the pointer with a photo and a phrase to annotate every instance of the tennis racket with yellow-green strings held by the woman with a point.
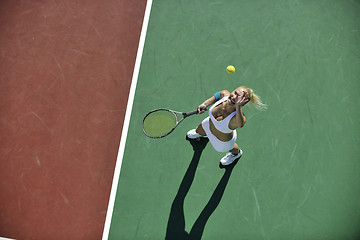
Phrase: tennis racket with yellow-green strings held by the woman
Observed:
(159, 123)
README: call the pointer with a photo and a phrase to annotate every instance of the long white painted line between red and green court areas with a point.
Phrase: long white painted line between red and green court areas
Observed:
(126, 122)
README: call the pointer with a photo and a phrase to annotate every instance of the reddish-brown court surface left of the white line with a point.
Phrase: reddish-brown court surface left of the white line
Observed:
(66, 69)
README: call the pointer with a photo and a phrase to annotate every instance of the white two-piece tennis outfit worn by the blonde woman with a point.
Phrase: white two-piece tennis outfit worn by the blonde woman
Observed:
(222, 126)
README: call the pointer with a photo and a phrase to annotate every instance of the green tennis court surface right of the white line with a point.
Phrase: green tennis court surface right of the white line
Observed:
(299, 175)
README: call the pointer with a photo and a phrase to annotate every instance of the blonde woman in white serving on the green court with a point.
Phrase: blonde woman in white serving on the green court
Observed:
(224, 117)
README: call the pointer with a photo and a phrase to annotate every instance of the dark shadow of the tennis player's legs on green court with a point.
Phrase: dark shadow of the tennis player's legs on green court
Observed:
(176, 223)
